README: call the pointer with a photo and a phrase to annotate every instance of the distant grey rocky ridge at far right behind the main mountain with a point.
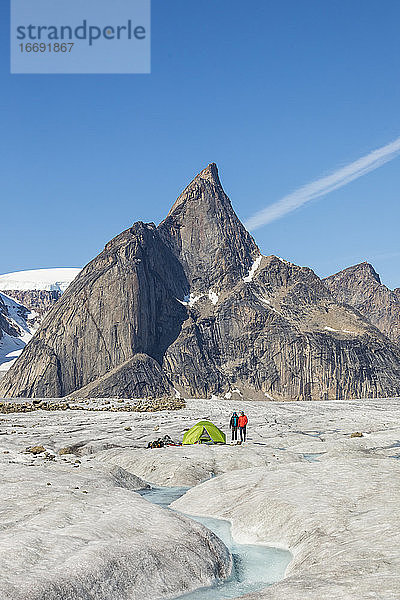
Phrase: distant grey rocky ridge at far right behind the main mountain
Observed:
(360, 287)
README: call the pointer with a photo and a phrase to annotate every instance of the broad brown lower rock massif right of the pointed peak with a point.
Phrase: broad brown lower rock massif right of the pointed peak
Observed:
(281, 336)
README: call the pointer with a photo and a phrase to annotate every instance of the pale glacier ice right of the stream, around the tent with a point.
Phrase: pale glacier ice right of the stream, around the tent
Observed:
(339, 513)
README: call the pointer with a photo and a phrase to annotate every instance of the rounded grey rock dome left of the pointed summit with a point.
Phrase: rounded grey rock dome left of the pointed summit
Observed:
(123, 303)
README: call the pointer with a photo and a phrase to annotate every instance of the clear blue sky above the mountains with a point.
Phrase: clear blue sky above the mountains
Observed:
(276, 93)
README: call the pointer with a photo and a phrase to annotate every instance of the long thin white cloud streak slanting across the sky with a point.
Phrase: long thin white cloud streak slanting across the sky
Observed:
(324, 185)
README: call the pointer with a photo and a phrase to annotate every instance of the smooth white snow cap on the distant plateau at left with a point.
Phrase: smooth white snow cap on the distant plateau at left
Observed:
(39, 279)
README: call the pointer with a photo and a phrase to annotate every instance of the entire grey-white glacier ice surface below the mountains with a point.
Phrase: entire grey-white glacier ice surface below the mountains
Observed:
(339, 515)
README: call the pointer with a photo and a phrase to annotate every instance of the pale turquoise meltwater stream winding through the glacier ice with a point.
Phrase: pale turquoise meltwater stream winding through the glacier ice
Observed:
(254, 566)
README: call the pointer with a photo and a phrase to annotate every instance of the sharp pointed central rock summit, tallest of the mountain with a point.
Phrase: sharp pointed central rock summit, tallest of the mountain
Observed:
(204, 233)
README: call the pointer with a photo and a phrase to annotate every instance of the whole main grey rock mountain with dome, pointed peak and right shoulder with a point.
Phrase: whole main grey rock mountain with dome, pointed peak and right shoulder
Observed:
(193, 305)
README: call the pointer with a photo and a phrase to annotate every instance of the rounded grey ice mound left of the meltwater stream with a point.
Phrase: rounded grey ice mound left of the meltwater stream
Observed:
(74, 531)
